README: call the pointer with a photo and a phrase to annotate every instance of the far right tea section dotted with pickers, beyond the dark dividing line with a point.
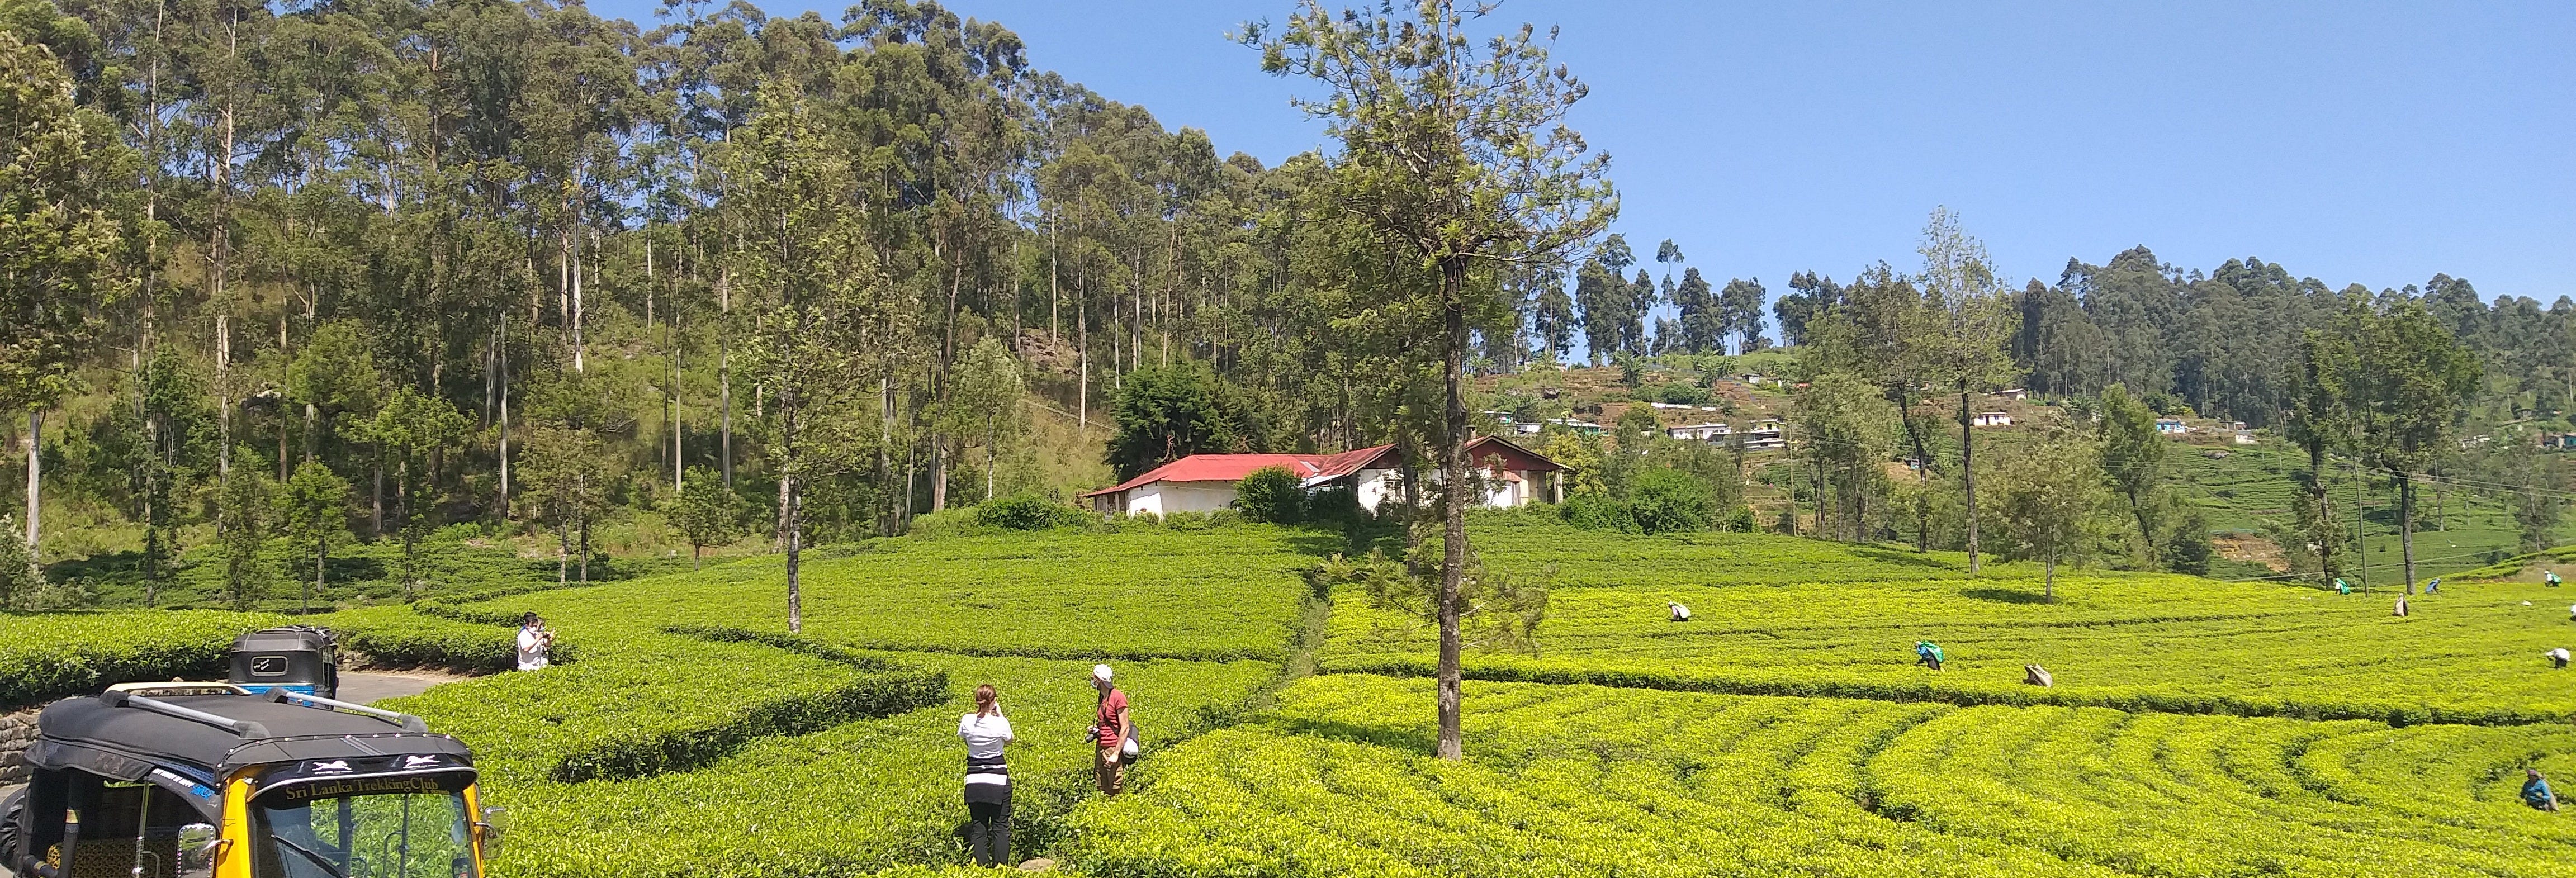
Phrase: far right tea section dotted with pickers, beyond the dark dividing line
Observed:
(1786, 619)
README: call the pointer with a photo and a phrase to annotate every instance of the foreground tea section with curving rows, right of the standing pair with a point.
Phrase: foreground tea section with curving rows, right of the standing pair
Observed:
(1593, 781)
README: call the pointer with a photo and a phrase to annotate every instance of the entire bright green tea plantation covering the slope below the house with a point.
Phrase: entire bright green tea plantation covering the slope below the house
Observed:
(2196, 727)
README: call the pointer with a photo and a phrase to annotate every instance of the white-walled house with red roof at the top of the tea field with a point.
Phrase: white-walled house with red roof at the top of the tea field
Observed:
(1204, 483)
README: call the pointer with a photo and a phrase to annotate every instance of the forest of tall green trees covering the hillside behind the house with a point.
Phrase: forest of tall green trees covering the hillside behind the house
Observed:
(372, 269)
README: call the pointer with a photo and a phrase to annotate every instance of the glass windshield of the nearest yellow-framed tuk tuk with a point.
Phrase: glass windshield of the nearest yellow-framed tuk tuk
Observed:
(419, 833)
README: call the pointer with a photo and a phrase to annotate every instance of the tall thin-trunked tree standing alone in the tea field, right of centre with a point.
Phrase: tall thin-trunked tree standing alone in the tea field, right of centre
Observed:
(1454, 158)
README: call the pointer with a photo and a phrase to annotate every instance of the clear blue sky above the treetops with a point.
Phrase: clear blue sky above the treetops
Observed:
(2356, 143)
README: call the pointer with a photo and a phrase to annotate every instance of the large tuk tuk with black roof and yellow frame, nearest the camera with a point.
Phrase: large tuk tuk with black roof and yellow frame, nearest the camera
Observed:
(215, 781)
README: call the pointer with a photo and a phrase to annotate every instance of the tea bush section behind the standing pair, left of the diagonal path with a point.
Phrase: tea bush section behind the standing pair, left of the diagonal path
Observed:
(697, 738)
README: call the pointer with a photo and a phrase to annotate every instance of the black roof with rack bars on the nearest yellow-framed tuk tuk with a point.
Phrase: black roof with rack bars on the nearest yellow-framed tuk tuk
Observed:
(107, 738)
